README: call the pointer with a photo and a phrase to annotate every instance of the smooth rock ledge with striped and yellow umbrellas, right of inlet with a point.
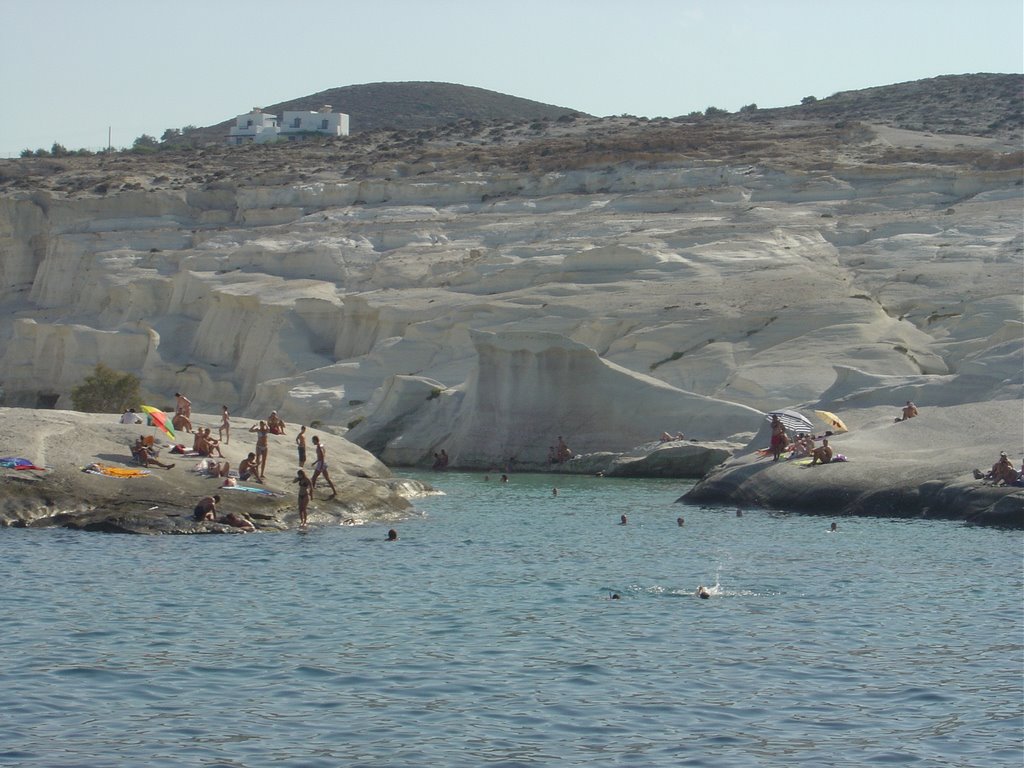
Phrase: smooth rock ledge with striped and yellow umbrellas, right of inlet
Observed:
(920, 468)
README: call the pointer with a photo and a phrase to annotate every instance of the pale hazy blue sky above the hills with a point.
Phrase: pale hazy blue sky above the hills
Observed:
(77, 72)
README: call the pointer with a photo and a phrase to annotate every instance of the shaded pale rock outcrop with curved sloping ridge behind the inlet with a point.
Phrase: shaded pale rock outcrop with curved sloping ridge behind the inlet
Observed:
(526, 392)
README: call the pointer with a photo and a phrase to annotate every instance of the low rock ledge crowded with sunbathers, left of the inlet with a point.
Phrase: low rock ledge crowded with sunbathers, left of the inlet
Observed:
(62, 494)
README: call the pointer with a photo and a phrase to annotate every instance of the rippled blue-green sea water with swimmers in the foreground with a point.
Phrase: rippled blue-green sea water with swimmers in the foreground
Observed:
(486, 637)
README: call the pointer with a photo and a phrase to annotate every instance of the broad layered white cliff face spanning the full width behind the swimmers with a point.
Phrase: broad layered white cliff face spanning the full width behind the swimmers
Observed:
(737, 283)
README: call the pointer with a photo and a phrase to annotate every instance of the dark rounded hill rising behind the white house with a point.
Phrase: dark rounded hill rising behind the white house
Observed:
(413, 106)
